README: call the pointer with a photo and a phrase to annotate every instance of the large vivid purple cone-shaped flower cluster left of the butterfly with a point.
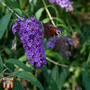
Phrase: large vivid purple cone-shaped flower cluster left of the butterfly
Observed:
(30, 31)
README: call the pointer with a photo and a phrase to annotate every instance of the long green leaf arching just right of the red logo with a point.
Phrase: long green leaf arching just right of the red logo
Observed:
(29, 77)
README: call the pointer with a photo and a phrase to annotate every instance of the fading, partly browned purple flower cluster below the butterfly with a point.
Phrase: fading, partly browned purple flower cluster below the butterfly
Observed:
(61, 43)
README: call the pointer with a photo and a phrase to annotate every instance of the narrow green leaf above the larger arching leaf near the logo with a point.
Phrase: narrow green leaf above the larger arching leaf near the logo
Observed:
(18, 63)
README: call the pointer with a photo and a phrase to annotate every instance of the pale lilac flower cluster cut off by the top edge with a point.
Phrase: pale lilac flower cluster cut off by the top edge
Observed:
(63, 4)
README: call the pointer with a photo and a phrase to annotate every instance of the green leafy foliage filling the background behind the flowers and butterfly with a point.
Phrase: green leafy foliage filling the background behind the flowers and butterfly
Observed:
(60, 73)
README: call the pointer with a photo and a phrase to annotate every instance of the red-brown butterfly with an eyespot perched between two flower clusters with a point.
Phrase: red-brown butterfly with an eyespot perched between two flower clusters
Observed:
(50, 30)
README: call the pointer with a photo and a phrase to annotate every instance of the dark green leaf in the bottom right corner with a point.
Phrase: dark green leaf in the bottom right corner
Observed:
(86, 79)
